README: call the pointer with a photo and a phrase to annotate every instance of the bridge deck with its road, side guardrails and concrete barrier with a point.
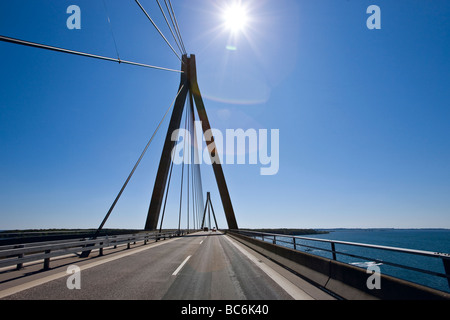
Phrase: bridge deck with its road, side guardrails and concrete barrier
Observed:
(200, 265)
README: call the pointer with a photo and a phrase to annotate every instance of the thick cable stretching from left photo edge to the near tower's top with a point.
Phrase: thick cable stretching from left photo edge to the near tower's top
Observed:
(57, 49)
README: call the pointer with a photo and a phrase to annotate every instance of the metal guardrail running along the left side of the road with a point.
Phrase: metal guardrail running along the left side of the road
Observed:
(21, 253)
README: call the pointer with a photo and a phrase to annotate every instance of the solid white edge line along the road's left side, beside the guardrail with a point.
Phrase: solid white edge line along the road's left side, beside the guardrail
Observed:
(31, 284)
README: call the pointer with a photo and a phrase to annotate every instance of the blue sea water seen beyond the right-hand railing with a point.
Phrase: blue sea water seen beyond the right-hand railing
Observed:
(433, 240)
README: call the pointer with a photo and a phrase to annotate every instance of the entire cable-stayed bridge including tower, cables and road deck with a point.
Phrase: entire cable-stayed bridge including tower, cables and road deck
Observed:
(199, 262)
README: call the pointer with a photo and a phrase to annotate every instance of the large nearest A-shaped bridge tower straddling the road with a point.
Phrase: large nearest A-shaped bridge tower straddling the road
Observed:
(188, 83)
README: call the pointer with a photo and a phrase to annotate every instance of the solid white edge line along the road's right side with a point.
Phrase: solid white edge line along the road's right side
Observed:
(284, 283)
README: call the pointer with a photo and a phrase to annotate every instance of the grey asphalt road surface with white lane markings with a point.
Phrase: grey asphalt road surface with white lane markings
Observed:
(201, 266)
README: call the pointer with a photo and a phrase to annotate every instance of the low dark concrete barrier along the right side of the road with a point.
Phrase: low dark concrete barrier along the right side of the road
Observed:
(346, 281)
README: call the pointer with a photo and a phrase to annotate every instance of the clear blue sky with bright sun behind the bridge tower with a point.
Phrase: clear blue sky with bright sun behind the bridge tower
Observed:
(363, 114)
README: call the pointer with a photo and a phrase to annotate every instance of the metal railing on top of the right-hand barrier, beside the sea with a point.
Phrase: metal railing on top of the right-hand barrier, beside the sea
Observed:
(299, 242)
